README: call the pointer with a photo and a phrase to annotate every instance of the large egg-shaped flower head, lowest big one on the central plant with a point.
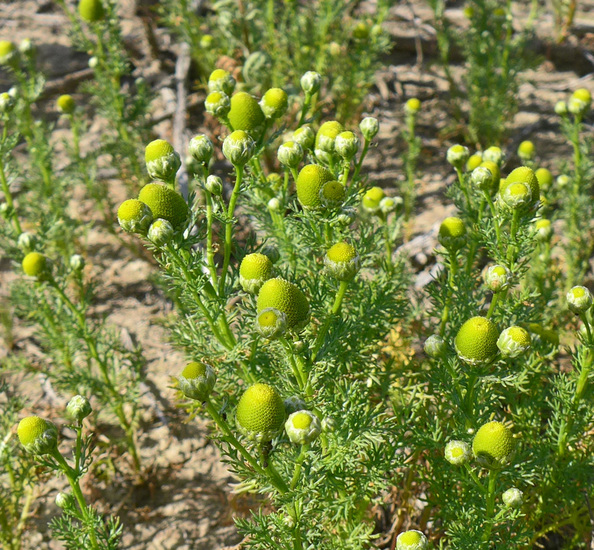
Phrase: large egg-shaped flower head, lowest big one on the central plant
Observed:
(260, 413)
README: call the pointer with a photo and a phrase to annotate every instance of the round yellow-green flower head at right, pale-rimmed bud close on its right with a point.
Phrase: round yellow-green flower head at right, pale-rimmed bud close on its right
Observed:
(476, 341)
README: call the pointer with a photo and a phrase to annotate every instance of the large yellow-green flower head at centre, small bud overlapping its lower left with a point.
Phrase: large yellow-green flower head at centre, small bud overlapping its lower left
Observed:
(287, 298)
